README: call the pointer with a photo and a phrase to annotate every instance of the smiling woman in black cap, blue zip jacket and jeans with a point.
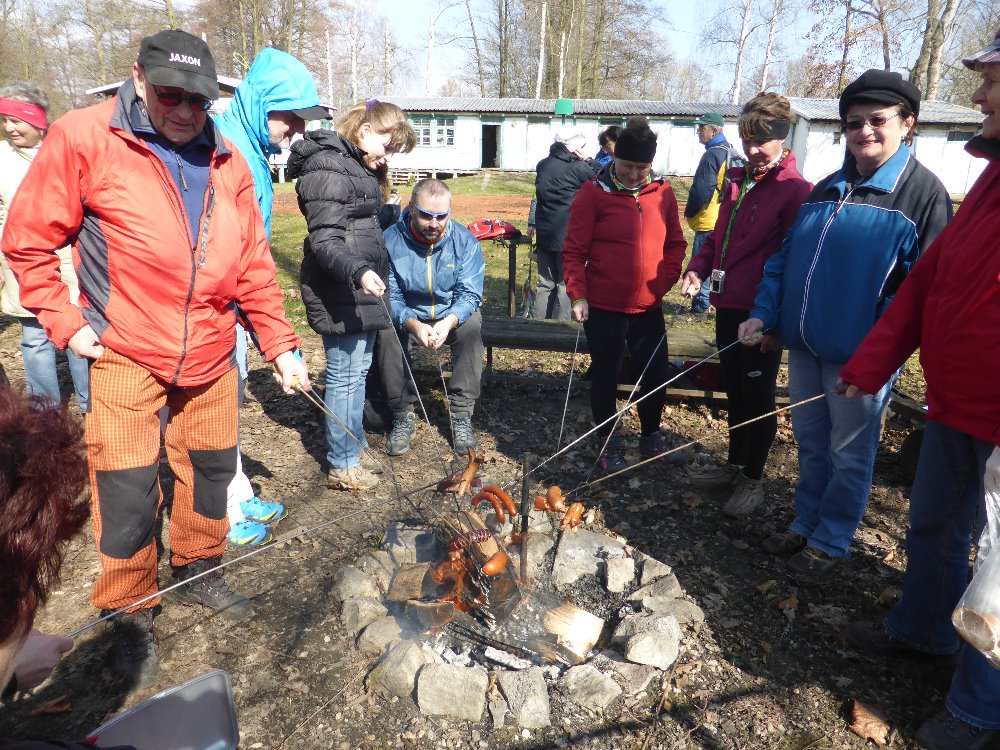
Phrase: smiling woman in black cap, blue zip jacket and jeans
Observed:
(851, 246)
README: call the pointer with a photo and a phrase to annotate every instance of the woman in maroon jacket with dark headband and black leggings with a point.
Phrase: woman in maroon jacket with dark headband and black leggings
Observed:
(758, 206)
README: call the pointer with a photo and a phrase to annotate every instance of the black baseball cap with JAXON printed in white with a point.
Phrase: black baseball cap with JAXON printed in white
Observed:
(177, 58)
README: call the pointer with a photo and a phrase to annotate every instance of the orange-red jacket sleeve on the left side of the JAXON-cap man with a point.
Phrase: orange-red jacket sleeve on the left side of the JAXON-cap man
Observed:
(45, 215)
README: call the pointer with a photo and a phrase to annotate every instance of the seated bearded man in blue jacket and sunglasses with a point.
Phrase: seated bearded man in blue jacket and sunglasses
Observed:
(436, 289)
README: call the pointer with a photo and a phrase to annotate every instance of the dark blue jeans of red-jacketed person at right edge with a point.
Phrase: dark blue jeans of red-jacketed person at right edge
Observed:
(947, 494)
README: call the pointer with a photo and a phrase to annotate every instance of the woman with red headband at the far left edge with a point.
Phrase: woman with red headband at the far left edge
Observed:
(23, 112)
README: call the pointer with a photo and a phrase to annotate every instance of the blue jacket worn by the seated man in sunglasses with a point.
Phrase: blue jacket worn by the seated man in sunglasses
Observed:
(430, 282)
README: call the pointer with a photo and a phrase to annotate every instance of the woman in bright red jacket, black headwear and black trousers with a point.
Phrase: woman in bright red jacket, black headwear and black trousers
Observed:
(623, 251)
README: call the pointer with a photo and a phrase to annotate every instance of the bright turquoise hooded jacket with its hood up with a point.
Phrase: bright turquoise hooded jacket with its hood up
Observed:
(276, 82)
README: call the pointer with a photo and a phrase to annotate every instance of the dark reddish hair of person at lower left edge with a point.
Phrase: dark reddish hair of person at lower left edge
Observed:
(43, 470)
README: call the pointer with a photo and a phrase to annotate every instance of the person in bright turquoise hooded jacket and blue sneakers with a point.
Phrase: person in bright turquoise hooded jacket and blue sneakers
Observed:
(271, 105)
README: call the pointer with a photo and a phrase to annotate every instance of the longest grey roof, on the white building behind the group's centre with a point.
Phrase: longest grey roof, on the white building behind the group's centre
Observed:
(610, 107)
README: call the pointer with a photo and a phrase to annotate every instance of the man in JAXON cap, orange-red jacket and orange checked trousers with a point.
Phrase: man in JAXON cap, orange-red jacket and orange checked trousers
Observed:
(167, 238)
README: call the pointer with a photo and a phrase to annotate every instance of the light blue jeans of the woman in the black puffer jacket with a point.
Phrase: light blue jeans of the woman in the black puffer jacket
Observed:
(348, 358)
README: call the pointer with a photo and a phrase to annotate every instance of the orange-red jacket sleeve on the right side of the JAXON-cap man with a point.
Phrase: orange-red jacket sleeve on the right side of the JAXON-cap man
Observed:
(257, 289)
